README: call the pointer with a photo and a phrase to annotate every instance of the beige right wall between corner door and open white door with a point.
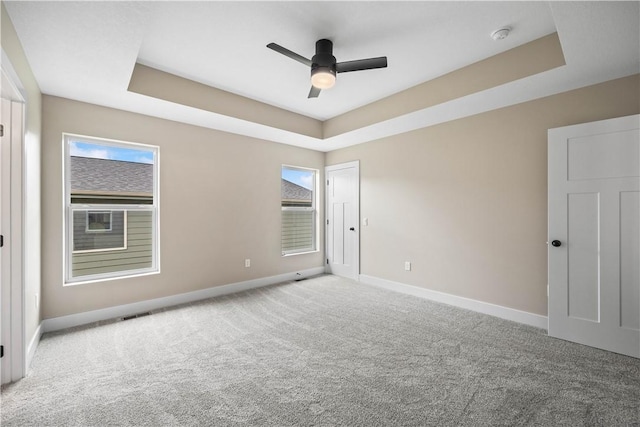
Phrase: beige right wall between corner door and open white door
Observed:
(466, 201)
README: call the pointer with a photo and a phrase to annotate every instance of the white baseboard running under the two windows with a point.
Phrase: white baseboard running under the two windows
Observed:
(69, 321)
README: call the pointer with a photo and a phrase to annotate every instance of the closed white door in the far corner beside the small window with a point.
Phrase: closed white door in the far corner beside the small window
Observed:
(343, 213)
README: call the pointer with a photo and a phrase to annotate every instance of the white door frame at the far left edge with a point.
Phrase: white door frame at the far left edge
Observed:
(11, 204)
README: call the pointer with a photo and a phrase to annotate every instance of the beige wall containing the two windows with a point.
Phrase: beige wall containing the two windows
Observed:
(219, 204)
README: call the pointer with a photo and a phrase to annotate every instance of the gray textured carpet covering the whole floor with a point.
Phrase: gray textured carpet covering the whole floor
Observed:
(325, 352)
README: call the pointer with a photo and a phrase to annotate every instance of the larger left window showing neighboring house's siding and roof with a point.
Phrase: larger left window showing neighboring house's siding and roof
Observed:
(111, 209)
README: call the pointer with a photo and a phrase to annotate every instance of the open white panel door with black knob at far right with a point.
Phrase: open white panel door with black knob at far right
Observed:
(594, 234)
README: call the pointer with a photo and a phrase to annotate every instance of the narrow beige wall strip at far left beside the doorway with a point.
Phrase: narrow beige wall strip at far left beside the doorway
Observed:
(31, 173)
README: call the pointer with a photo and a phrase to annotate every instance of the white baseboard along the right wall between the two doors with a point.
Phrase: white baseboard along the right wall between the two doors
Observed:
(519, 316)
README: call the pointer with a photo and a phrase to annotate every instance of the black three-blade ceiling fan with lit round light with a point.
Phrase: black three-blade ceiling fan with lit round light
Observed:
(324, 66)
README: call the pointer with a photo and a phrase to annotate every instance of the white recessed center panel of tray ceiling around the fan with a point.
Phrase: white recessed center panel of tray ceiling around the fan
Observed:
(223, 44)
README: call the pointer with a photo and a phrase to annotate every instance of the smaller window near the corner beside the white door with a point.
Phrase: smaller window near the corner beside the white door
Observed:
(299, 216)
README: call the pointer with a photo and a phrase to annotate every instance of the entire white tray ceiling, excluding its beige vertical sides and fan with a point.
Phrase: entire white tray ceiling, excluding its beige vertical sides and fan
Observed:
(86, 51)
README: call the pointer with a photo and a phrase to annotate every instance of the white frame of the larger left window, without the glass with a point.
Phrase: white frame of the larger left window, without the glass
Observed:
(69, 207)
